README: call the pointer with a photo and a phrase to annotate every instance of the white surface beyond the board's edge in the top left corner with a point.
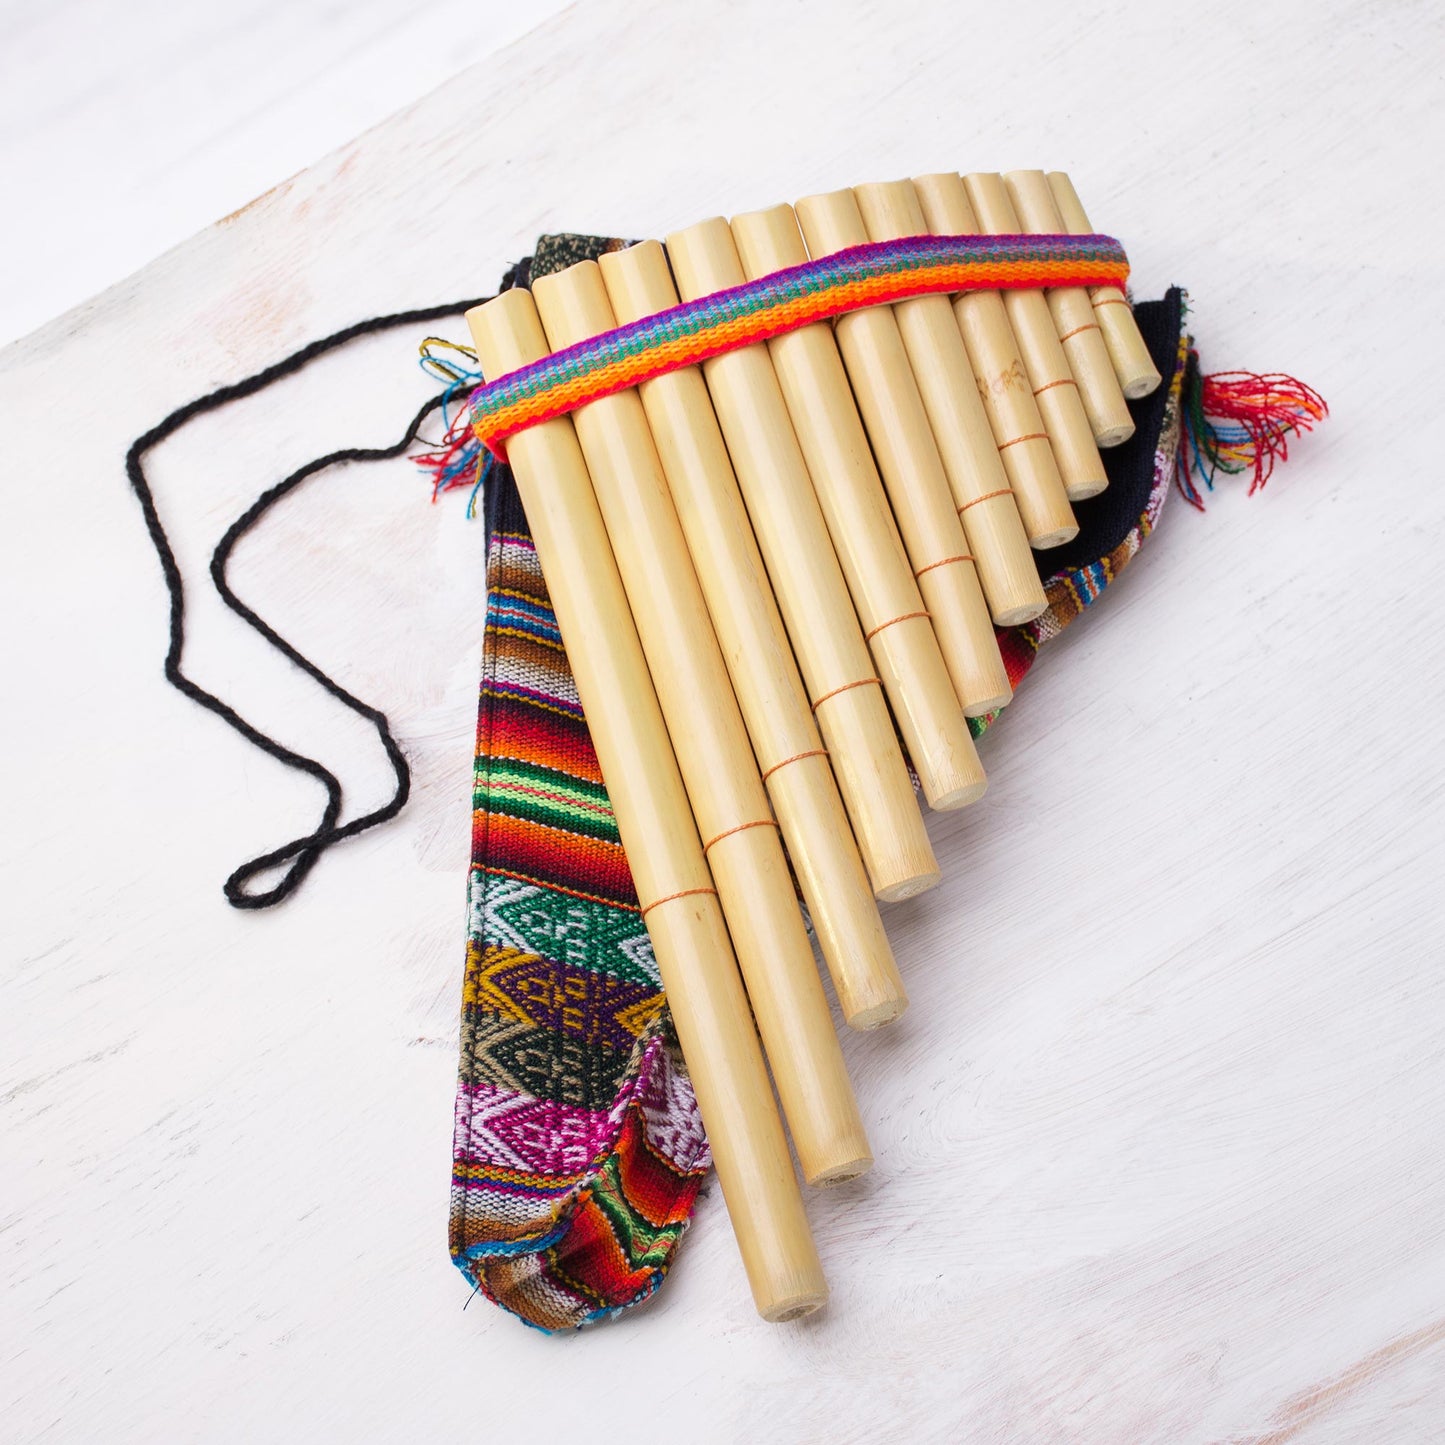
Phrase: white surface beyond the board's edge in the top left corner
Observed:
(155, 119)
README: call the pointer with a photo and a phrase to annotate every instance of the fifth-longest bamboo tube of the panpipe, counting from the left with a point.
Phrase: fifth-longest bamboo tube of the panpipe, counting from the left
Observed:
(863, 531)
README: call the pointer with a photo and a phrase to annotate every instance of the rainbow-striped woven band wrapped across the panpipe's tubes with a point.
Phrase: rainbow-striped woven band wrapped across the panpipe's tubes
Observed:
(874, 275)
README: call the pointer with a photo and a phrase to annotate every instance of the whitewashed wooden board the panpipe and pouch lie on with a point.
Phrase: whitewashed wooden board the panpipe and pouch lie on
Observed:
(1161, 1141)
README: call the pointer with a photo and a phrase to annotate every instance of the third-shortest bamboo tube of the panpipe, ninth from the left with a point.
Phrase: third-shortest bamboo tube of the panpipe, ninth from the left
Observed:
(1050, 376)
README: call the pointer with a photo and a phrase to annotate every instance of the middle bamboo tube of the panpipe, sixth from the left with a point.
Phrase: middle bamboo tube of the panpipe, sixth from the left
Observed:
(913, 470)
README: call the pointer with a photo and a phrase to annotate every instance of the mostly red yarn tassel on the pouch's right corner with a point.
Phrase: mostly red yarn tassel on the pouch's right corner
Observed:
(1241, 421)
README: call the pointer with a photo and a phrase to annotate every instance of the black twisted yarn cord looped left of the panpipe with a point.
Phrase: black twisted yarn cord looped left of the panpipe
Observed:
(301, 853)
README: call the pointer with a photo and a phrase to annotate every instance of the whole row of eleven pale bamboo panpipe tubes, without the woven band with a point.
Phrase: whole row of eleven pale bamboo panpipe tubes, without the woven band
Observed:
(778, 576)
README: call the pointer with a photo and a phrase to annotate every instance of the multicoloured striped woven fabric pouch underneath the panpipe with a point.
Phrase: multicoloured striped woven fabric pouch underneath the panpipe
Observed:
(579, 1148)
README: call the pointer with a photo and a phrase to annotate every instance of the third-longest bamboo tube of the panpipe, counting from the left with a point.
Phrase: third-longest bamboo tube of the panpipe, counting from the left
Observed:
(761, 663)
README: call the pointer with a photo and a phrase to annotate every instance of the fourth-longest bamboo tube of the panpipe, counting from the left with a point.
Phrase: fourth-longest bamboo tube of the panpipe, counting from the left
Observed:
(810, 587)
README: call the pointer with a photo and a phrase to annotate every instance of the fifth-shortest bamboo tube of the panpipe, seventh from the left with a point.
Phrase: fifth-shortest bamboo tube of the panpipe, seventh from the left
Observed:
(966, 443)
